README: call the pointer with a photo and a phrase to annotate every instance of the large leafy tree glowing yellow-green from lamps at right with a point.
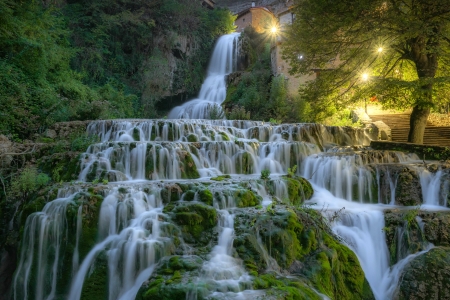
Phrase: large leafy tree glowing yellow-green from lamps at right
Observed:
(403, 46)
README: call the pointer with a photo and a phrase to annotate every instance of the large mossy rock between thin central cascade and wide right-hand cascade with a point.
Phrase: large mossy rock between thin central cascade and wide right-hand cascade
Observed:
(302, 245)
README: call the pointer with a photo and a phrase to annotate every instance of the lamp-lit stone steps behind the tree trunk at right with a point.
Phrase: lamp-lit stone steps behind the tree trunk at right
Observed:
(399, 124)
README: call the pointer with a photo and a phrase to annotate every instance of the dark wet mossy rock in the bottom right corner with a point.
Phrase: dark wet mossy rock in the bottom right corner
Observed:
(426, 277)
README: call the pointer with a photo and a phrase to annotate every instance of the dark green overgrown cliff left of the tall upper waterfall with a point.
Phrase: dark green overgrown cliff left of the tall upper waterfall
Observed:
(81, 60)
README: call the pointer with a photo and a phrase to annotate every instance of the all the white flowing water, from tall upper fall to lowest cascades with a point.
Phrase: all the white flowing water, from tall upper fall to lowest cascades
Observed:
(139, 159)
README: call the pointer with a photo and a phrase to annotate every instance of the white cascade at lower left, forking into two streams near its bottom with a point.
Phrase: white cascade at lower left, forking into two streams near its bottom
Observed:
(133, 239)
